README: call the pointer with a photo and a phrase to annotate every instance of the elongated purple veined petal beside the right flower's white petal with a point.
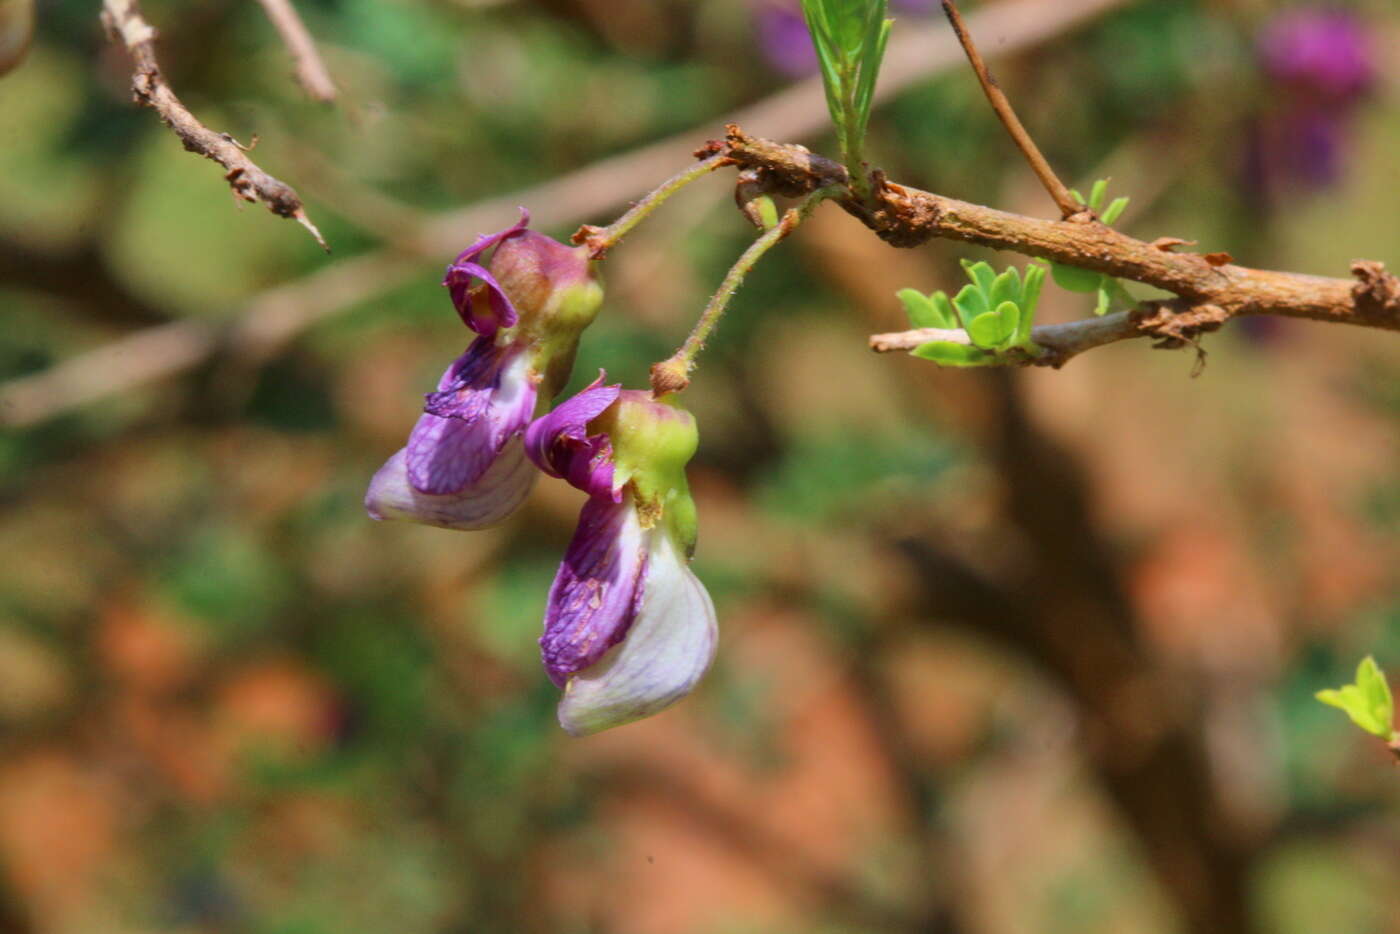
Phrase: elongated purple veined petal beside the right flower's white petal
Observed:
(596, 593)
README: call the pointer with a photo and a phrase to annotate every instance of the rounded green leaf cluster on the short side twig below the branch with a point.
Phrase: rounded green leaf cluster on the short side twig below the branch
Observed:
(996, 312)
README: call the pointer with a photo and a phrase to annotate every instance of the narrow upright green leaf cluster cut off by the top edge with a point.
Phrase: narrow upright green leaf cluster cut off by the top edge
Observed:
(850, 39)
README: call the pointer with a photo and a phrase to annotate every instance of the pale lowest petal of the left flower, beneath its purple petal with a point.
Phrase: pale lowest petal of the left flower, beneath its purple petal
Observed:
(482, 505)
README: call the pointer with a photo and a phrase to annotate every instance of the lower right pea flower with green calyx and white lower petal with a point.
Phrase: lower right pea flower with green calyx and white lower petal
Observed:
(629, 628)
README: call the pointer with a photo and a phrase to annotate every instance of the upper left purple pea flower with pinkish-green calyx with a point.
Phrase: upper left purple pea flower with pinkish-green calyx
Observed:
(465, 466)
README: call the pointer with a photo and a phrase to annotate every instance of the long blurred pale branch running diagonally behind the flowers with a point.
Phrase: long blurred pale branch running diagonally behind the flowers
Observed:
(285, 312)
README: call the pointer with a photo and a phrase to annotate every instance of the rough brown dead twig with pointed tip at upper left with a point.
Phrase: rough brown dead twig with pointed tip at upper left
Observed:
(124, 22)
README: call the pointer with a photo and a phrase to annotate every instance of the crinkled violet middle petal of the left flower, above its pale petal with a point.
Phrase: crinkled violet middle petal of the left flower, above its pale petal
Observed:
(485, 400)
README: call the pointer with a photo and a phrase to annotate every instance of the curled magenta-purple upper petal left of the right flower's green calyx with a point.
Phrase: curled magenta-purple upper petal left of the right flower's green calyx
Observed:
(561, 446)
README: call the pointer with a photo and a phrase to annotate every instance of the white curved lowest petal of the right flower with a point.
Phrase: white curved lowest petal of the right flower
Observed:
(666, 652)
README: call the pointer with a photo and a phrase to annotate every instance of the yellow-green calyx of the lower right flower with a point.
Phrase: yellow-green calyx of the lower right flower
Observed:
(653, 440)
